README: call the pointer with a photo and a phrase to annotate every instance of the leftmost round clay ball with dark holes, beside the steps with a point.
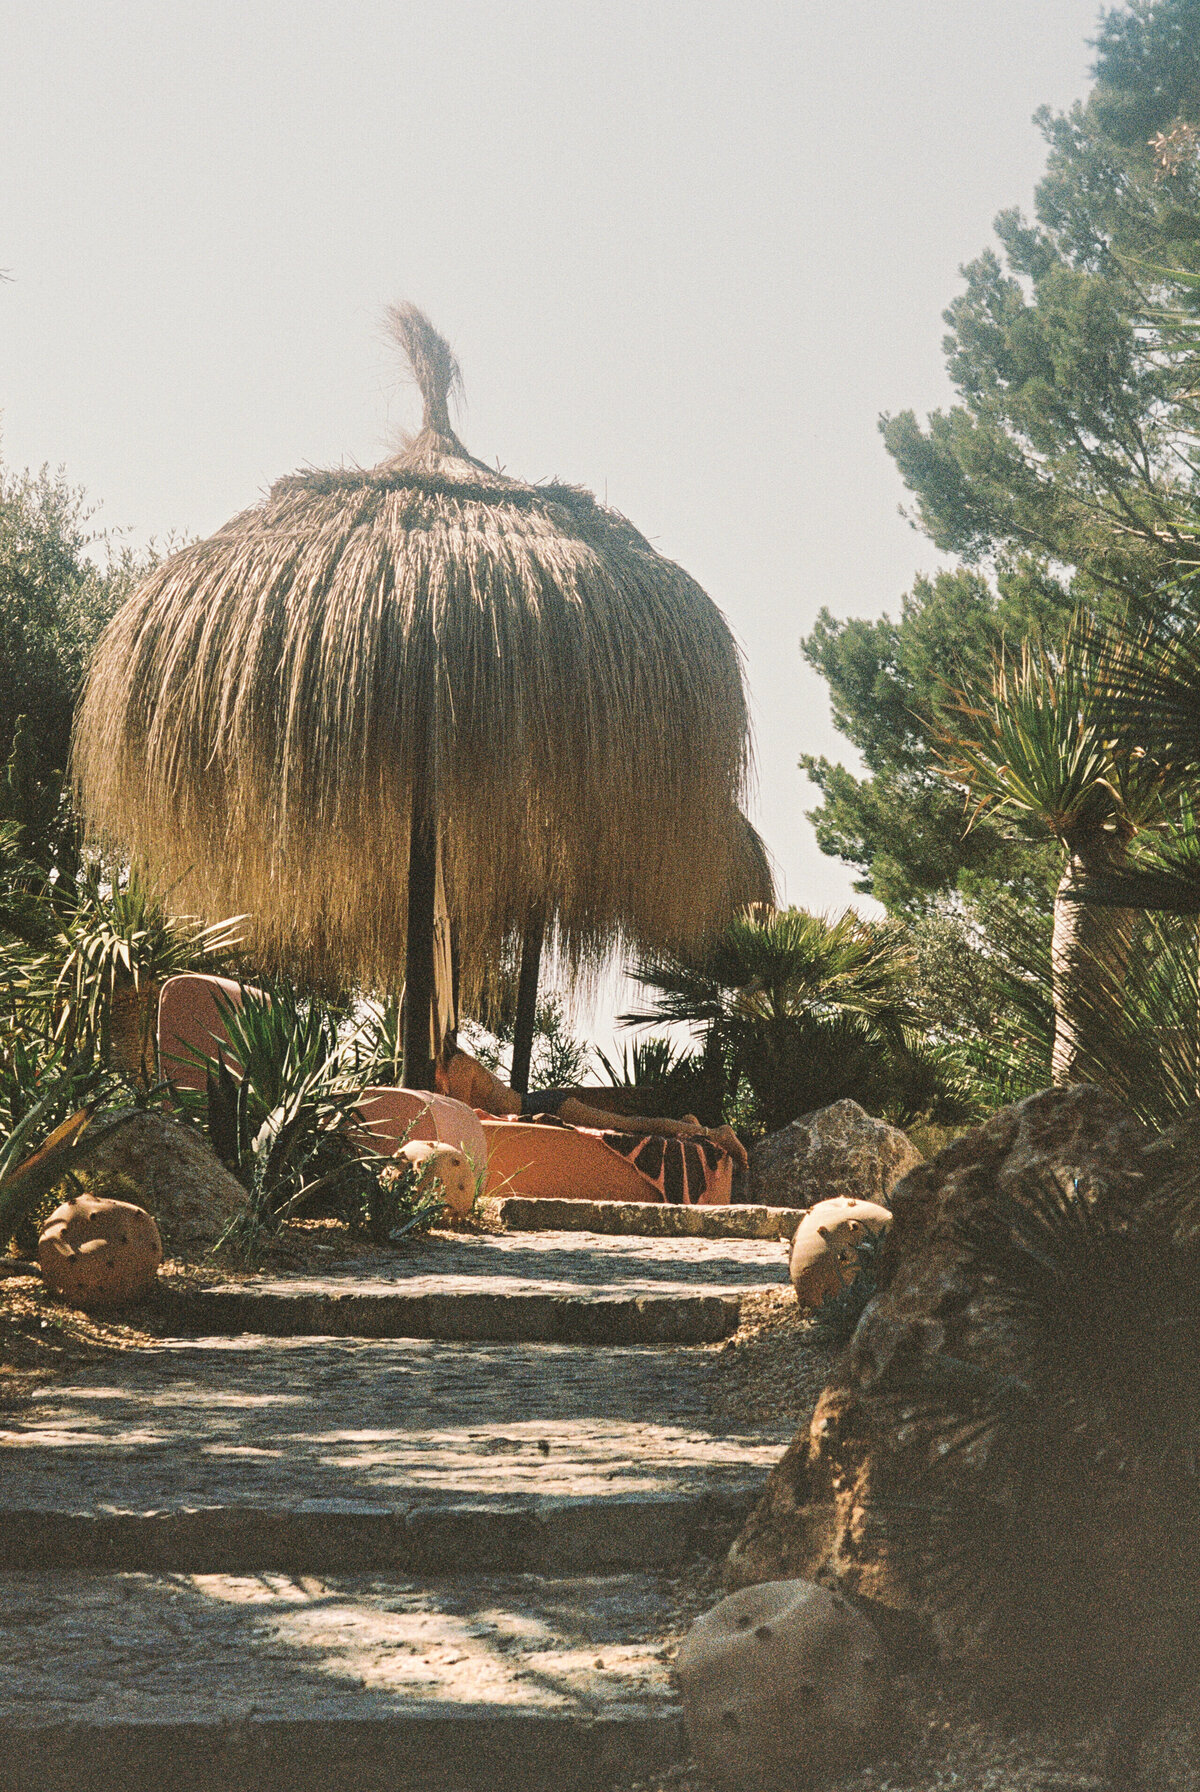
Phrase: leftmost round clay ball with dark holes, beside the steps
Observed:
(99, 1254)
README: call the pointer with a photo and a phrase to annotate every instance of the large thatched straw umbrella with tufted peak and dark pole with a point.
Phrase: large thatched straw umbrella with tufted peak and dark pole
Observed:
(293, 718)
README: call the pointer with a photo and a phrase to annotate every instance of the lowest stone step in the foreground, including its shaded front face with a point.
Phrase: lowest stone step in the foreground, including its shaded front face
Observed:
(273, 1684)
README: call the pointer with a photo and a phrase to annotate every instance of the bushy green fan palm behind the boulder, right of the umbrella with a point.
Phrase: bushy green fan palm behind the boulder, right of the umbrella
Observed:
(807, 1010)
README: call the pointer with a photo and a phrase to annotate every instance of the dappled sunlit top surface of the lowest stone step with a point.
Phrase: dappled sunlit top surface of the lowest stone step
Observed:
(191, 1648)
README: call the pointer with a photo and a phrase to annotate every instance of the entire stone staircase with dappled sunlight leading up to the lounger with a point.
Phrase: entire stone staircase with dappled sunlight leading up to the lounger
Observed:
(422, 1522)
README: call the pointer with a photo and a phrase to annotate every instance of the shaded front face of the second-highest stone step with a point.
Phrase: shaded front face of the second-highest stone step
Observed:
(461, 1314)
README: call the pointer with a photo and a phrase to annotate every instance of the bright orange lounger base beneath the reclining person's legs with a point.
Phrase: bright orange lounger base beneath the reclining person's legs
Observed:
(579, 1164)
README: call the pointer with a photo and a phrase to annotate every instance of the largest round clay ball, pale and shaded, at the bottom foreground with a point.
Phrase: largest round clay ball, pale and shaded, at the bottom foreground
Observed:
(782, 1685)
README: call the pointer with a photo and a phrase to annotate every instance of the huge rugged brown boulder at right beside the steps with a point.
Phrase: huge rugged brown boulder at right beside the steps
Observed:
(877, 1451)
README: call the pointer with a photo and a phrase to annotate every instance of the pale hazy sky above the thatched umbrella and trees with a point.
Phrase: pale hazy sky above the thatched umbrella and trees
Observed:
(687, 254)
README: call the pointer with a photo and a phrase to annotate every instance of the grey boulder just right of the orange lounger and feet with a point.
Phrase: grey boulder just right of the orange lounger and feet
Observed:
(836, 1151)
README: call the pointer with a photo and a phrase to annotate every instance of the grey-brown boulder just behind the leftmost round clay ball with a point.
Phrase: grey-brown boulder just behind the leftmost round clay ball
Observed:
(180, 1180)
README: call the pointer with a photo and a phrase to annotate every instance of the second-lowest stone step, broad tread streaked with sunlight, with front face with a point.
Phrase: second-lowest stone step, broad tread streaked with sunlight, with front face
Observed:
(341, 1452)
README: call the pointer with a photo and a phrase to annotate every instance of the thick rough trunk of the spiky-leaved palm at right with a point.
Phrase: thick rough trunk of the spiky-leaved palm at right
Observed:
(1090, 963)
